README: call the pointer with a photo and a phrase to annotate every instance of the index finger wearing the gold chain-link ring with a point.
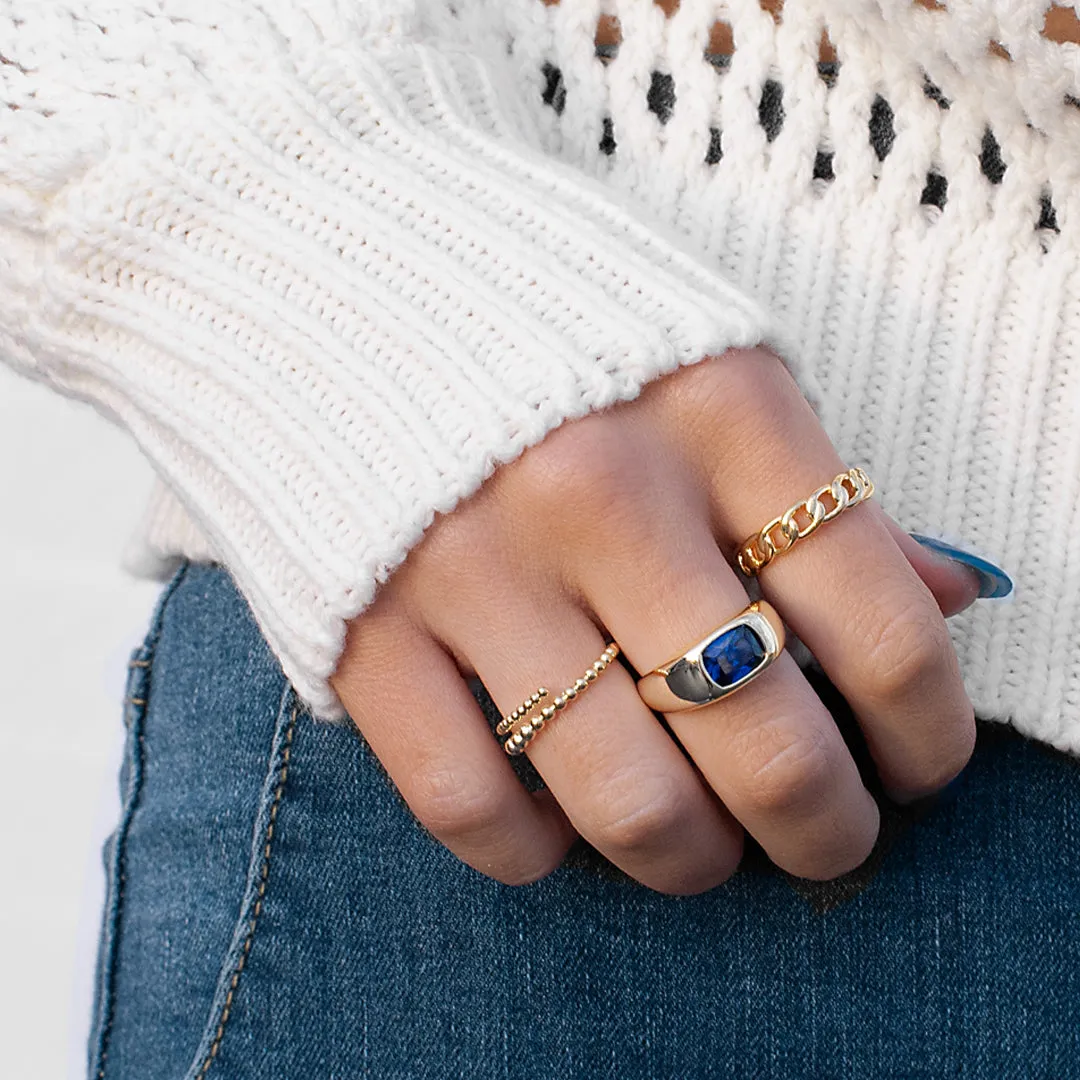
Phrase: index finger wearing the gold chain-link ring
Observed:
(848, 592)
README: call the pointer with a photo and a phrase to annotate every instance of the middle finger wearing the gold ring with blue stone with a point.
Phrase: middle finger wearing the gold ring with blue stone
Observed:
(772, 752)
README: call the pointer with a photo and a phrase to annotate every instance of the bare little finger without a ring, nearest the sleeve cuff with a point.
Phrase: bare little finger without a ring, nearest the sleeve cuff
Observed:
(409, 700)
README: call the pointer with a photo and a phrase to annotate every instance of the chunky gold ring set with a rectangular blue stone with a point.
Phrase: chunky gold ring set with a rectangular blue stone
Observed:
(721, 664)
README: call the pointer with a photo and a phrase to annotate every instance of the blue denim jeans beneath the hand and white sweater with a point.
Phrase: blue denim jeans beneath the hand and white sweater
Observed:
(276, 912)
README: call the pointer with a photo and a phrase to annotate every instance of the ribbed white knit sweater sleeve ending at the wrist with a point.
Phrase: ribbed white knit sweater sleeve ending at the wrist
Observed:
(322, 271)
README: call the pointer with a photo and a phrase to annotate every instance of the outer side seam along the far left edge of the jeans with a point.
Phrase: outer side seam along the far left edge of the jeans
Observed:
(137, 699)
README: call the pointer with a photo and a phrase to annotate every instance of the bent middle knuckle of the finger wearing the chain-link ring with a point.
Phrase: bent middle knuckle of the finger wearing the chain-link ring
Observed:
(906, 651)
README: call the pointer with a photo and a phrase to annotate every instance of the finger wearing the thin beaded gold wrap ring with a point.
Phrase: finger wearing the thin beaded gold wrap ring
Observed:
(623, 781)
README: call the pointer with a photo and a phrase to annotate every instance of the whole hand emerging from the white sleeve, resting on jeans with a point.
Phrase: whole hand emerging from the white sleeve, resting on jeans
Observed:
(622, 525)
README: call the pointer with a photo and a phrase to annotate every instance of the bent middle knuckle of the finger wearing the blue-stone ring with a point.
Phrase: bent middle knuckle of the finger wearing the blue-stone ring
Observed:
(788, 768)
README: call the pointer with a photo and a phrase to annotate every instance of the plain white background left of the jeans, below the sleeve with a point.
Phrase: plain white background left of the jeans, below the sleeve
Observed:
(72, 494)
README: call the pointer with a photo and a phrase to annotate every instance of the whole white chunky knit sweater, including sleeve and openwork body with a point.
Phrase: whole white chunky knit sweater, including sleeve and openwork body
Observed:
(333, 262)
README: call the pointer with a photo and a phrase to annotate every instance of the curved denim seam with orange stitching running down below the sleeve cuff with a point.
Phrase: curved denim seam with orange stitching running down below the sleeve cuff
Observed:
(255, 890)
